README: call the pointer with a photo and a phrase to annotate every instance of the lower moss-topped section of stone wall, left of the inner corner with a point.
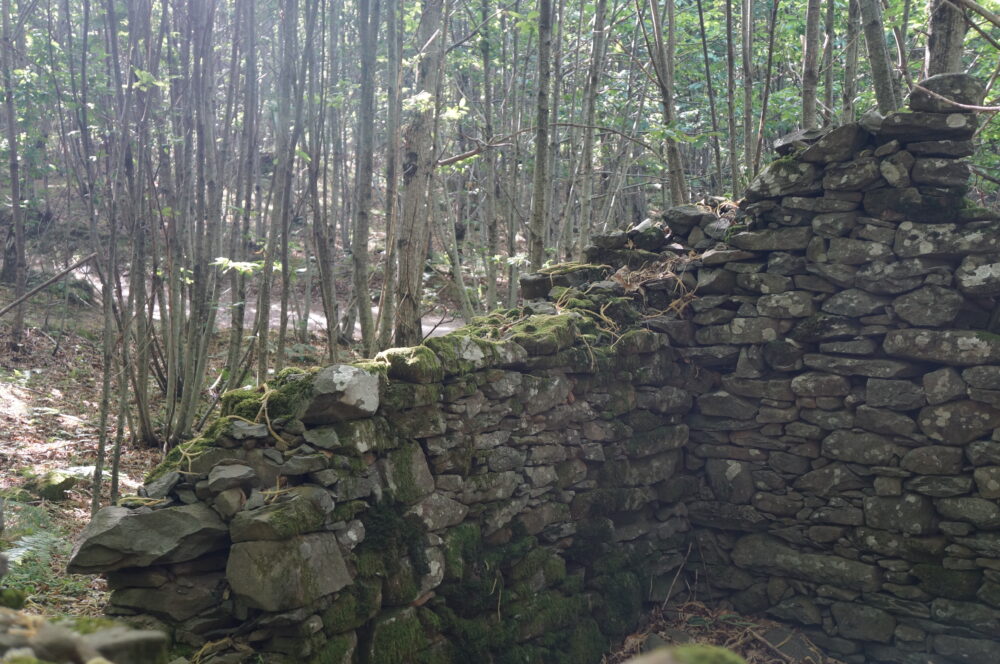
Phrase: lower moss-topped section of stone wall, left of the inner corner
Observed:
(473, 499)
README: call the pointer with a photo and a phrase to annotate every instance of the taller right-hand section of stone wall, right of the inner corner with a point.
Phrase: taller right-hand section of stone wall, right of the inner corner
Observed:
(844, 431)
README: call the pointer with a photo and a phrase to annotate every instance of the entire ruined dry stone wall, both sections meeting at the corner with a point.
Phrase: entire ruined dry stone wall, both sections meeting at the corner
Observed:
(795, 402)
